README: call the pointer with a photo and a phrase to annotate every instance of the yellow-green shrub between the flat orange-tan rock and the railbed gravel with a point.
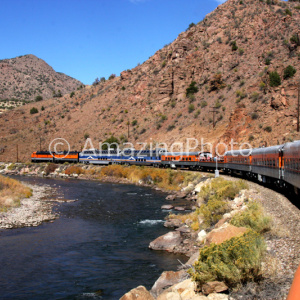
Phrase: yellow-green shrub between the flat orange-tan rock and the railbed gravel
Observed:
(253, 217)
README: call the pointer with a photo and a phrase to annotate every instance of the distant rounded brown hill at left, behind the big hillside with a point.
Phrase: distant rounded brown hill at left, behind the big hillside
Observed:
(26, 77)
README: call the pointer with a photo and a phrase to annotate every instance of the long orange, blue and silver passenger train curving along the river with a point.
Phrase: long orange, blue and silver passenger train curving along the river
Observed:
(279, 164)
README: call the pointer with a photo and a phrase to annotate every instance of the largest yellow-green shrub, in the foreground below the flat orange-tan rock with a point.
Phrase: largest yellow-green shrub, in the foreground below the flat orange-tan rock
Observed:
(234, 262)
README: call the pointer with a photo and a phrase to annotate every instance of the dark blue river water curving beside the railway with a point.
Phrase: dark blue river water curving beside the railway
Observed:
(96, 249)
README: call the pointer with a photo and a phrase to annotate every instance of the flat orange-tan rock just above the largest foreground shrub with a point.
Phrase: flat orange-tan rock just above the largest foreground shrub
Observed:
(225, 232)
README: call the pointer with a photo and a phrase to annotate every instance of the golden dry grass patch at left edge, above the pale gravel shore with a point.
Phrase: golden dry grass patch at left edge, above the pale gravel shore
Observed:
(11, 191)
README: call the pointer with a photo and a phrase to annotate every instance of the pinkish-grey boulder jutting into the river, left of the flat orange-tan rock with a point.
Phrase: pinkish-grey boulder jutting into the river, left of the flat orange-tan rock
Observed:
(167, 241)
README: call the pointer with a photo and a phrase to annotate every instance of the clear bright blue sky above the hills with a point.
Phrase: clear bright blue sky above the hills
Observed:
(86, 39)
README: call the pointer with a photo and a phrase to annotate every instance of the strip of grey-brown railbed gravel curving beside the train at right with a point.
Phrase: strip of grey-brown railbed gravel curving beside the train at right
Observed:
(283, 247)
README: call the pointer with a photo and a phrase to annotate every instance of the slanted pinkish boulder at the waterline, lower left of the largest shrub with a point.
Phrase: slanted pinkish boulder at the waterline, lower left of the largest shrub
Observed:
(167, 279)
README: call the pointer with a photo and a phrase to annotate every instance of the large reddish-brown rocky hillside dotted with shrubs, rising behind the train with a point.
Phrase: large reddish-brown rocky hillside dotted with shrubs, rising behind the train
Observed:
(231, 56)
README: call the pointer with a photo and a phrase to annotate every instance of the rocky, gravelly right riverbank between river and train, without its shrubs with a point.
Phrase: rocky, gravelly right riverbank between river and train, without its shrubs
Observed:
(278, 266)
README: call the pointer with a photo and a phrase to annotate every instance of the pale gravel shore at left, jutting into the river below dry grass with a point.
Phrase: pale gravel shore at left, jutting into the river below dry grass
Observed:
(32, 211)
